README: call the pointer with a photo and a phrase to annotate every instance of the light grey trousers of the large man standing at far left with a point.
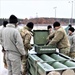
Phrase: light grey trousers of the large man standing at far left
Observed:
(13, 64)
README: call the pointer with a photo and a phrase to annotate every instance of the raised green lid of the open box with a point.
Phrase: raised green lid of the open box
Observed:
(40, 36)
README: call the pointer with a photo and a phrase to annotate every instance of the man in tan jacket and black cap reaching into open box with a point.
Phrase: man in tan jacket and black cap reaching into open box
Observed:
(60, 39)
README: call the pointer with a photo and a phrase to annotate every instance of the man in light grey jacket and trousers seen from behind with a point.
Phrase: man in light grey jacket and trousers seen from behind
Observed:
(13, 45)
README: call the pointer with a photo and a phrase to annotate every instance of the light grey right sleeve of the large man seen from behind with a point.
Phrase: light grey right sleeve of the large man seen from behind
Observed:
(19, 43)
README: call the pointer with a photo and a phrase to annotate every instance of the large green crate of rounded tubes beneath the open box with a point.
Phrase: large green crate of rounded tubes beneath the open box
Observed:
(41, 65)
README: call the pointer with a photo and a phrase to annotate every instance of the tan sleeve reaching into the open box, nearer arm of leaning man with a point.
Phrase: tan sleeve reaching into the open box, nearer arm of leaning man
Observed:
(57, 37)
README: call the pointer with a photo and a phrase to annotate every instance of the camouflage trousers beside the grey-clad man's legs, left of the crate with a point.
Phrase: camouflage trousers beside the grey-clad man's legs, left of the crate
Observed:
(25, 64)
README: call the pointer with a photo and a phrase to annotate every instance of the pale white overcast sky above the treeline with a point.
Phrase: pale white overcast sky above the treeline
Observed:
(37, 8)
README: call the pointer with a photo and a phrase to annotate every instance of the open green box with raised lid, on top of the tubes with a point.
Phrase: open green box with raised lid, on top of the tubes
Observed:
(40, 41)
